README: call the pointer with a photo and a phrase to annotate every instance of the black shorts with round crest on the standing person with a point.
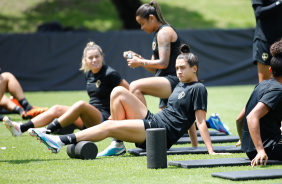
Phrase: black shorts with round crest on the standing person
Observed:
(261, 52)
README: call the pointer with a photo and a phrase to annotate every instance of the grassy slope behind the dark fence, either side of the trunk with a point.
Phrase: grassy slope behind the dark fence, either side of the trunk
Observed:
(100, 15)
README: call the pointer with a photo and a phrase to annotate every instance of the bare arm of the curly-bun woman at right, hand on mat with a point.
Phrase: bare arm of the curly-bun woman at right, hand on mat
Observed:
(253, 118)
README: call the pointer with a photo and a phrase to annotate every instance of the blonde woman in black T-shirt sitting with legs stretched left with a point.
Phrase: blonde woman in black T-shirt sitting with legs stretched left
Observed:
(101, 79)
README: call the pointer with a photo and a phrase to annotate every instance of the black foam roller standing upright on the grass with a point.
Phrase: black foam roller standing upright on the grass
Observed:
(156, 147)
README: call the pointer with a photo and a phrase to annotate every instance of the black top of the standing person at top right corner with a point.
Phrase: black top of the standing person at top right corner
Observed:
(269, 23)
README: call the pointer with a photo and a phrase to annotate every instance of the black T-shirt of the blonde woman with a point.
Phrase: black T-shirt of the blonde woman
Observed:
(100, 86)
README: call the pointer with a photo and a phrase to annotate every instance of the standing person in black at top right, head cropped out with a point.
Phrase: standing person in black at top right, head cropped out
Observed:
(268, 15)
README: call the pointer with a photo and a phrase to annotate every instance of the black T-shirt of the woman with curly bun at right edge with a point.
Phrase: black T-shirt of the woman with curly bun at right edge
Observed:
(268, 92)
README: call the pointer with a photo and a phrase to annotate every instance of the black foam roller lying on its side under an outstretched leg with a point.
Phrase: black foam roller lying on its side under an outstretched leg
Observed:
(86, 150)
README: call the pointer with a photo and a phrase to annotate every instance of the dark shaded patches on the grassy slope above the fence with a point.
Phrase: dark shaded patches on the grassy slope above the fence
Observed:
(95, 15)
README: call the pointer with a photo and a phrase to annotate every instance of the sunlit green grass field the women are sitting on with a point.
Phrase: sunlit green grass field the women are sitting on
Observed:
(26, 161)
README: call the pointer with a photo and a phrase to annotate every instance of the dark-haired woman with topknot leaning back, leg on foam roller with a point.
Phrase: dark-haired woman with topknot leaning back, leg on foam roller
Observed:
(131, 118)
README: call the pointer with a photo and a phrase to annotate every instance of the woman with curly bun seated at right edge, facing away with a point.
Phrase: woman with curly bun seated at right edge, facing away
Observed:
(259, 122)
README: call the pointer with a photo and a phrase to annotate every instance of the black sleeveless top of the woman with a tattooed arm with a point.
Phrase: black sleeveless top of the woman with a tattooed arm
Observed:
(174, 52)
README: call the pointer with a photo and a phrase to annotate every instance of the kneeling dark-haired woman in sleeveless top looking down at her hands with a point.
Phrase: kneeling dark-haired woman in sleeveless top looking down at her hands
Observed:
(165, 49)
